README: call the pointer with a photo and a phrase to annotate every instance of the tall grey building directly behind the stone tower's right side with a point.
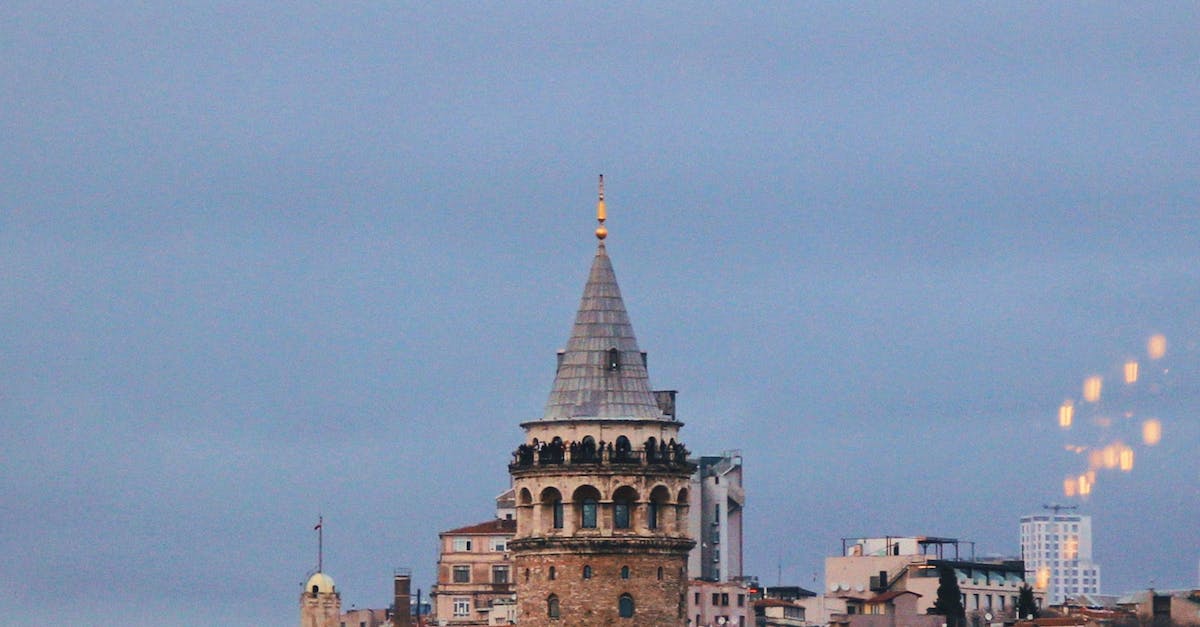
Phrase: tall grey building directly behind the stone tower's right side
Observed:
(716, 518)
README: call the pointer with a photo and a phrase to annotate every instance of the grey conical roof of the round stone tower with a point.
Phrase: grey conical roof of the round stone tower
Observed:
(586, 386)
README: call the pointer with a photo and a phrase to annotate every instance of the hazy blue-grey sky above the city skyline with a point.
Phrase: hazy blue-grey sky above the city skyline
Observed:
(265, 262)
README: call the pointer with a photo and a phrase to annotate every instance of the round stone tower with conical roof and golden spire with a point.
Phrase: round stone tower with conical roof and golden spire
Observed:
(602, 481)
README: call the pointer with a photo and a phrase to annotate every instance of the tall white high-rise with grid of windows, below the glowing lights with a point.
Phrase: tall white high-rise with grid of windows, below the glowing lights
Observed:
(1058, 551)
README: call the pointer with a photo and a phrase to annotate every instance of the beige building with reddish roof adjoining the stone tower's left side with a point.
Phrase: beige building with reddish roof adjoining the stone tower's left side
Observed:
(475, 572)
